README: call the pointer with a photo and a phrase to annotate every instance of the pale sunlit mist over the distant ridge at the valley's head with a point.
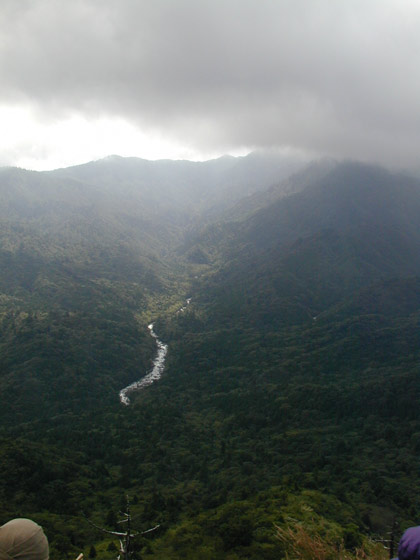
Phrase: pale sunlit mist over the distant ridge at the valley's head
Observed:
(181, 190)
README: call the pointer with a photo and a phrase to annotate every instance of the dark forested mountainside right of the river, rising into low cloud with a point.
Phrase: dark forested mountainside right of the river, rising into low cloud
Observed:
(302, 350)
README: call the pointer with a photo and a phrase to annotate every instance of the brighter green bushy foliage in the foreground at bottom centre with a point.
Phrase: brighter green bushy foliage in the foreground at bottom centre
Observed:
(249, 528)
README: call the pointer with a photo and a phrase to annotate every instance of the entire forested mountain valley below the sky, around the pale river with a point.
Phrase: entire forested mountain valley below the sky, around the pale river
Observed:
(290, 397)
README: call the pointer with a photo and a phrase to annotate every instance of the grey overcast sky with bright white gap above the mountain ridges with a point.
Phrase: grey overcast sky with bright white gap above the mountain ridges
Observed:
(194, 79)
